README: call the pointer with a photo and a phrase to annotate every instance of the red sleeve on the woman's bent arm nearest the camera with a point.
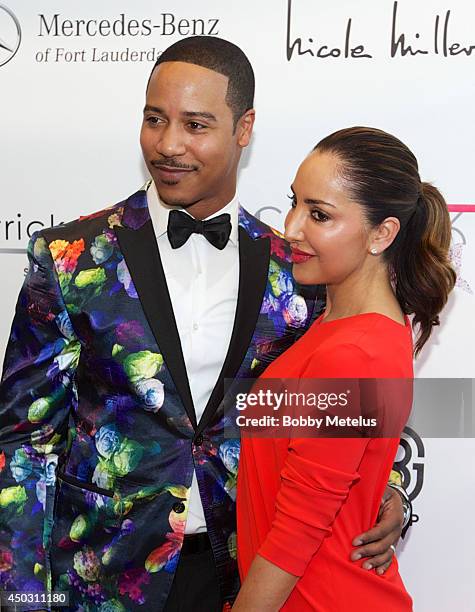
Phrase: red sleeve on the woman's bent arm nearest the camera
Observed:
(317, 476)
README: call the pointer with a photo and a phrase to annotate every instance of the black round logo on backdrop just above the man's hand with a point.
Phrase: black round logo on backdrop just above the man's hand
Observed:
(410, 464)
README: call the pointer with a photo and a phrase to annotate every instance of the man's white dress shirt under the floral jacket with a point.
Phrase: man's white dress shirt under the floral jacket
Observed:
(203, 283)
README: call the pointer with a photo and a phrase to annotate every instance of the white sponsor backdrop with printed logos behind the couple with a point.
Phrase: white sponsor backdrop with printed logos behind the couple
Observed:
(72, 83)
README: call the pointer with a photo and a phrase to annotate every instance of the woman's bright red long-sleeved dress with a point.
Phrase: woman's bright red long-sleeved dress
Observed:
(301, 502)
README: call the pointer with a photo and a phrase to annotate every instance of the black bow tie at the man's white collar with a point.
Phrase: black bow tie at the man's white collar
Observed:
(181, 226)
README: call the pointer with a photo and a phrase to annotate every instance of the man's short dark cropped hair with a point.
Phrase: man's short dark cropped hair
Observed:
(221, 56)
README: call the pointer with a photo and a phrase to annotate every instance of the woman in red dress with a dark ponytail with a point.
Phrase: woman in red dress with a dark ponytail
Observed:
(362, 223)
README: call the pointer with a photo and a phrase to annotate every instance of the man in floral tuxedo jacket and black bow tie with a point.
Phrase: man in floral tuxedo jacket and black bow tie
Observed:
(119, 485)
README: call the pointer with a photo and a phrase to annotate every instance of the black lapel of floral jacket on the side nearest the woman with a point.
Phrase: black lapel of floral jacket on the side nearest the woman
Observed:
(253, 273)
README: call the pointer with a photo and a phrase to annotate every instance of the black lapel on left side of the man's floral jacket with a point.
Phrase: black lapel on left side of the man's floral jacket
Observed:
(140, 250)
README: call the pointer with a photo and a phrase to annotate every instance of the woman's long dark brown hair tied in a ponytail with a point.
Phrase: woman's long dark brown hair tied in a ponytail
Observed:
(382, 175)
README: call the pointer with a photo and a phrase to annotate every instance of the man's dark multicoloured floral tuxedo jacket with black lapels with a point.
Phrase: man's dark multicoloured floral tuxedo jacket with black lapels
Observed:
(98, 433)
